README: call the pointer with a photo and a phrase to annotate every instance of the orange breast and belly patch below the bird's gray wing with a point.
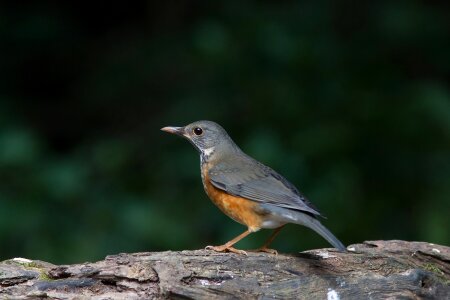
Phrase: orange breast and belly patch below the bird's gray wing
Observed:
(239, 209)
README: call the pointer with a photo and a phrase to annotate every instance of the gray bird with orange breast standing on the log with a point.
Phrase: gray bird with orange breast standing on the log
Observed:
(246, 190)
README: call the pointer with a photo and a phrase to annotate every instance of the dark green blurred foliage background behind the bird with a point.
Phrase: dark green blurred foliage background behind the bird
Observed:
(348, 100)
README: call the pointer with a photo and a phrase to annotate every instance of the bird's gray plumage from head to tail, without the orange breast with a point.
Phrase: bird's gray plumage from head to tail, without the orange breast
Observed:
(236, 173)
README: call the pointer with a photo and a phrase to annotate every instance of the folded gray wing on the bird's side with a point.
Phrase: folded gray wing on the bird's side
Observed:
(250, 179)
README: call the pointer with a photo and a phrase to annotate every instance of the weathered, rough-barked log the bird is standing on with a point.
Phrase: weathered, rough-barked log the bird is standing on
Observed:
(372, 270)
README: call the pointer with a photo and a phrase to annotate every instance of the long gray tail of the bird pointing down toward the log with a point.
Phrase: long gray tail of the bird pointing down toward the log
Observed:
(300, 218)
